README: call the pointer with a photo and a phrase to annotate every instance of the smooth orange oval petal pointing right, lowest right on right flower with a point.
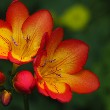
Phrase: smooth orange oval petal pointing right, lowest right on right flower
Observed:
(83, 82)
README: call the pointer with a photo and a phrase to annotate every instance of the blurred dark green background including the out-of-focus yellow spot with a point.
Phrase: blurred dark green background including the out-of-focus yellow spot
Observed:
(87, 20)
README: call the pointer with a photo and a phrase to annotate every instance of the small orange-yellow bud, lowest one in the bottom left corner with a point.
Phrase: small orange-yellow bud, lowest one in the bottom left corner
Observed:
(6, 97)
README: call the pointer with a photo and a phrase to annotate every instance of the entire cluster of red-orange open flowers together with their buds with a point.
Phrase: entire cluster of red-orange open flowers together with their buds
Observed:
(58, 65)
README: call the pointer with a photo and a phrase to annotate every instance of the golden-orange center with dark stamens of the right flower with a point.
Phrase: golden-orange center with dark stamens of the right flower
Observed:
(49, 72)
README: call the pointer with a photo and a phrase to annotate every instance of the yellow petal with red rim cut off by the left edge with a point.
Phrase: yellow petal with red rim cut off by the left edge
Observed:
(5, 38)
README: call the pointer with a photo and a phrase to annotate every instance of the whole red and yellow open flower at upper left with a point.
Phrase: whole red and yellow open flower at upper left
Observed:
(21, 34)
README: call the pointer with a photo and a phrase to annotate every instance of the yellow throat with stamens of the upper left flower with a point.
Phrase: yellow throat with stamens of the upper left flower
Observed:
(21, 47)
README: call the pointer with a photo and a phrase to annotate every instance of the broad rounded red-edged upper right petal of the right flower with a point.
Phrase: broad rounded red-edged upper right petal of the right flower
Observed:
(70, 56)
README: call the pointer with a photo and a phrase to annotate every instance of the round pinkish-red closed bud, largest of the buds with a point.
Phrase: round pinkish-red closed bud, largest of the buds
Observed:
(24, 82)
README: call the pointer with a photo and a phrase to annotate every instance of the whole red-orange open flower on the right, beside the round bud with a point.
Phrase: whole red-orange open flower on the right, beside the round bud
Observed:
(59, 68)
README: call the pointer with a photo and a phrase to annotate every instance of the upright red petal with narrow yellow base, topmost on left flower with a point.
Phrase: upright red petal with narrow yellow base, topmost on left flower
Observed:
(16, 14)
